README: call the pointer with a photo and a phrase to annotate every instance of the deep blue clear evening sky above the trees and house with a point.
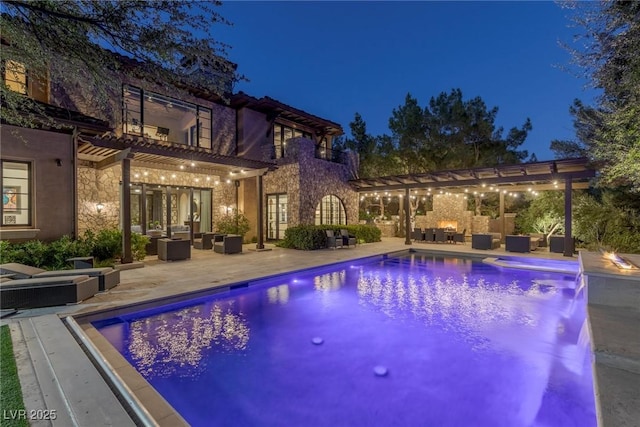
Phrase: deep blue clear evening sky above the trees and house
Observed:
(334, 59)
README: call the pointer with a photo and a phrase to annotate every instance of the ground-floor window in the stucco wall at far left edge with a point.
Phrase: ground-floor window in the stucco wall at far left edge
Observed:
(16, 193)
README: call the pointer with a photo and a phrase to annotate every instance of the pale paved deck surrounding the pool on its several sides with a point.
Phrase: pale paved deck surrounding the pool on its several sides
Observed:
(56, 374)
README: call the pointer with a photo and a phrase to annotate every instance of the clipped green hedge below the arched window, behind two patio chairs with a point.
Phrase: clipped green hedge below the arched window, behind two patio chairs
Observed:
(311, 237)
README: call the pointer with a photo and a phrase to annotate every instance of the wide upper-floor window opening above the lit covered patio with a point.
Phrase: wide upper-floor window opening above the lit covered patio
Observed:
(163, 118)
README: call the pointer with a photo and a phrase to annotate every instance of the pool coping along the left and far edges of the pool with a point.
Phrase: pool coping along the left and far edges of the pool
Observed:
(131, 388)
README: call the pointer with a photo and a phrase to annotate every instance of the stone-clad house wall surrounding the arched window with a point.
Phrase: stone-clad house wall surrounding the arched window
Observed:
(306, 180)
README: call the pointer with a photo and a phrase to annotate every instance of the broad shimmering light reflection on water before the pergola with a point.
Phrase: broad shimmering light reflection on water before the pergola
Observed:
(464, 303)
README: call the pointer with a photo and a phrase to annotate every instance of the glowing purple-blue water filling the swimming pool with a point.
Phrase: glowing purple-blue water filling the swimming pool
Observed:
(464, 344)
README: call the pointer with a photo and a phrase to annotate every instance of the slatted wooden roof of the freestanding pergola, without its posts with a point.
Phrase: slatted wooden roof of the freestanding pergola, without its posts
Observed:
(542, 175)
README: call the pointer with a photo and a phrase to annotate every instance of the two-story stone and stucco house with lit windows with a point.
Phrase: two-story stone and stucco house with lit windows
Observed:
(158, 158)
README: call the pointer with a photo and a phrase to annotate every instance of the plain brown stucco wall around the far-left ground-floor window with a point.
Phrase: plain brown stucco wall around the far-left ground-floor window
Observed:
(53, 186)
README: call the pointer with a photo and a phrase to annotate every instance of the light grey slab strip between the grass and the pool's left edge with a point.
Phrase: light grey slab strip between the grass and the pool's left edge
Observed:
(68, 381)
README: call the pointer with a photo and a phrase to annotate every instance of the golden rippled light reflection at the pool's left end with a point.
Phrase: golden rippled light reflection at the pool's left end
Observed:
(166, 344)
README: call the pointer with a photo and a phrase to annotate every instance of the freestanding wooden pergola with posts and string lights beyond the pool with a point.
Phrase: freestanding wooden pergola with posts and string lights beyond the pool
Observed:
(569, 174)
